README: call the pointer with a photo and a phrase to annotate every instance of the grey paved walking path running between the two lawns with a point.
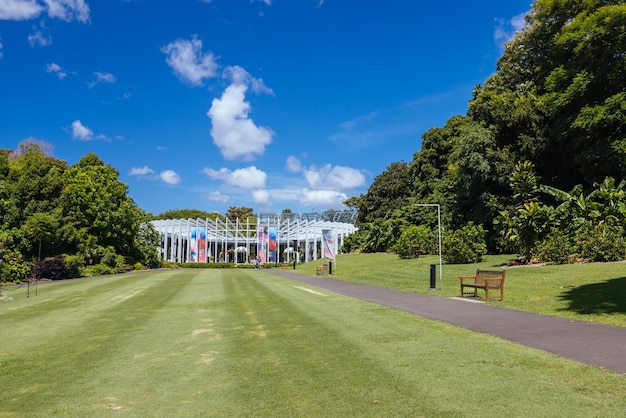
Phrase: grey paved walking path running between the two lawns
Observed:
(586, 342)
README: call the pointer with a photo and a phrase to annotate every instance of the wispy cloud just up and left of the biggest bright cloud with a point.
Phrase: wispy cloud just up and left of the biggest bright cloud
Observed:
(189, 62)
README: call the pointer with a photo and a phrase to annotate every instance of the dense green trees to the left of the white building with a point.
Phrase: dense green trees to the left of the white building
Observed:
(84, 211)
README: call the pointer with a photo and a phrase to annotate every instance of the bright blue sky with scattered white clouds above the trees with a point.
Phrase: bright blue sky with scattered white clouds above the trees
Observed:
(269, 104)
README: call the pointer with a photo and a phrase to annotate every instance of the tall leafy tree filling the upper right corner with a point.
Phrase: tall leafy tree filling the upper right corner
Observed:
(558, 96)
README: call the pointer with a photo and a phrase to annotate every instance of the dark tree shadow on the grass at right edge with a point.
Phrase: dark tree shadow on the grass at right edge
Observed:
(607, 297)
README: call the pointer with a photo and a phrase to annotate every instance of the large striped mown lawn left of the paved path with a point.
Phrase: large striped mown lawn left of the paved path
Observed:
(246, 343)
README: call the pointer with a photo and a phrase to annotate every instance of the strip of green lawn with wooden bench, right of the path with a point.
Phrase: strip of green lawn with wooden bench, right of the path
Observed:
(589, 292)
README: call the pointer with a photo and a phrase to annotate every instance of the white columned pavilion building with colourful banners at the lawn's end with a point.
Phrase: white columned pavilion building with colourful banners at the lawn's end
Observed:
(273, 238)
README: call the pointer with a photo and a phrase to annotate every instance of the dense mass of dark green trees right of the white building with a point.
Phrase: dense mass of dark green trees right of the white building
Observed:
(553, 113)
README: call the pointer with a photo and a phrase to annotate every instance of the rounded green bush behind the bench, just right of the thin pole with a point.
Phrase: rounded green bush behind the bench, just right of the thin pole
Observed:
(464, 246)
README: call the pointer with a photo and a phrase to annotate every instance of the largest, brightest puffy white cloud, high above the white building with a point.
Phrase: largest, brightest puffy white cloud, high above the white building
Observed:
(233, 132)
